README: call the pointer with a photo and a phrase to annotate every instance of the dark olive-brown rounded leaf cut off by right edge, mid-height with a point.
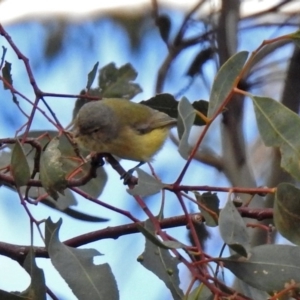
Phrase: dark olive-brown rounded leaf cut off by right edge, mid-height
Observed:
(287, 212)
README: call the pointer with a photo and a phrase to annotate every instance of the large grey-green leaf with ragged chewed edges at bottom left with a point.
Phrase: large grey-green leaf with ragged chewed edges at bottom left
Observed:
(86, 280)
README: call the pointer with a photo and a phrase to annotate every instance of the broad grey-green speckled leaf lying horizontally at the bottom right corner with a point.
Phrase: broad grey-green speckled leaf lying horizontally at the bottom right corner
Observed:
(267, 267)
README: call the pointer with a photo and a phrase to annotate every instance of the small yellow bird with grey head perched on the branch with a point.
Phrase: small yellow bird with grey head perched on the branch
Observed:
(123, 128)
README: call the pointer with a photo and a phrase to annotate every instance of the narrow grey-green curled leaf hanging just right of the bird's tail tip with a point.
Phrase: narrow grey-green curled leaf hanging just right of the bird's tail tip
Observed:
(186, 118)
